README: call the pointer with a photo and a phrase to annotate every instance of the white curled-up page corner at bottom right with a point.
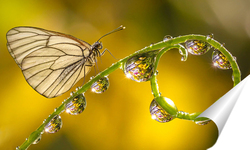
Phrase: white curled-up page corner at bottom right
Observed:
(230, 114)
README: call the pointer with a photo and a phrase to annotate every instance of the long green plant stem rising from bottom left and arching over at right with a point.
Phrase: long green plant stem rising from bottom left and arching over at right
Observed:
(164, 46)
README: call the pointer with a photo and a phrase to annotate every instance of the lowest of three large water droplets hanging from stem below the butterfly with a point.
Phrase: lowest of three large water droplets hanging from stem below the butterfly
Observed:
(54, 125)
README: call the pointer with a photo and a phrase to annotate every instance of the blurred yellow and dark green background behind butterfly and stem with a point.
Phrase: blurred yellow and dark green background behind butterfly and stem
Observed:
(120, 118)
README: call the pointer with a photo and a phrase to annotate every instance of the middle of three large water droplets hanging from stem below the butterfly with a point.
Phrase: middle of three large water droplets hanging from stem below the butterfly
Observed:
(76, 105)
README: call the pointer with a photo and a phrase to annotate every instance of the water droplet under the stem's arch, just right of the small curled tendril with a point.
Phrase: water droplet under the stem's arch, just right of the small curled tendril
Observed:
(197, 47)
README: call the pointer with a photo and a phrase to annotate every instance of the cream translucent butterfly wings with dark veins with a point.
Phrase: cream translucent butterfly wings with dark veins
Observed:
(51, 62)
